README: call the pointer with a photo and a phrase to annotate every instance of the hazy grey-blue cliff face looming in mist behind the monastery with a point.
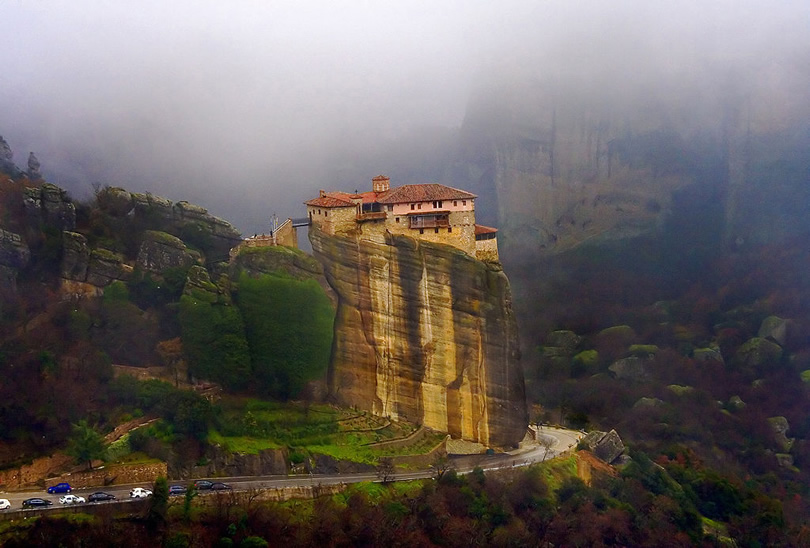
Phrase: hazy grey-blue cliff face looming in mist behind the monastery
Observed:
(564, 168)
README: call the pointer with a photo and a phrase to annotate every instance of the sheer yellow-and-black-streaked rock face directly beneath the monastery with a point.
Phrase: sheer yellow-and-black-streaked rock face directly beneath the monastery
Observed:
(426, 333)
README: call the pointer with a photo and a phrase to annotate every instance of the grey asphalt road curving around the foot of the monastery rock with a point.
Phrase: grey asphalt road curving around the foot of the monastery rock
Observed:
(558, 441)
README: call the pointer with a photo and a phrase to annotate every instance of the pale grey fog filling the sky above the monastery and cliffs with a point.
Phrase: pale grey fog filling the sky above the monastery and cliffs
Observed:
(248, 108)
